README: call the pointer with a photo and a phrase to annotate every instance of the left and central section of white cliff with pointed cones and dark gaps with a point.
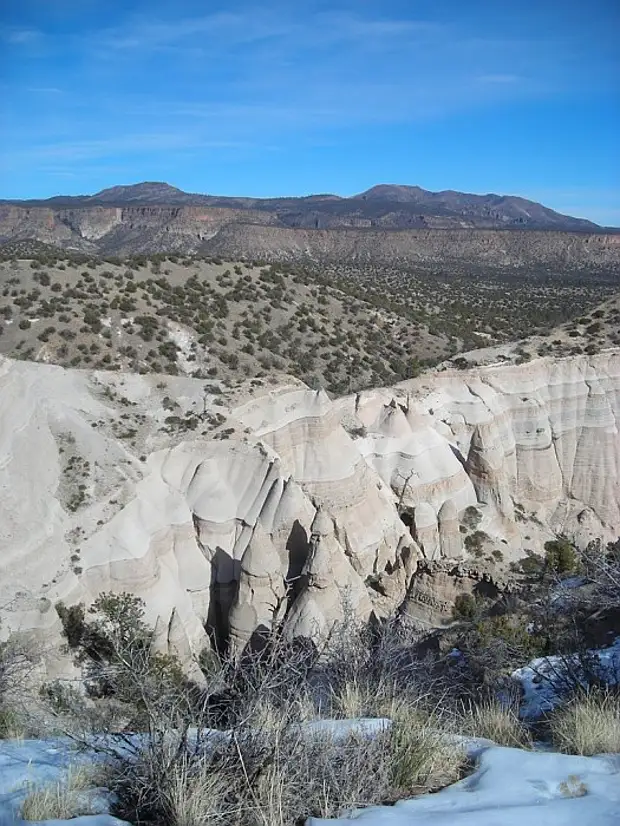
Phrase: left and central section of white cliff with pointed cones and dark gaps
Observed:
(213, 534)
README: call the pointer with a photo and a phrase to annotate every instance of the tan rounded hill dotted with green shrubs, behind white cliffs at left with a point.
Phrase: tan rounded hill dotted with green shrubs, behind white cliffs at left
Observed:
(222, 321)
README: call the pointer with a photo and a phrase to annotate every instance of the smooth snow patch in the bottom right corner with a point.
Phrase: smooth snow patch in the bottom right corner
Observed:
(512, 787)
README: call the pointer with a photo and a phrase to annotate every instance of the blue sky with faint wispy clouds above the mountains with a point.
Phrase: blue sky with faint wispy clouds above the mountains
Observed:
(282, 98)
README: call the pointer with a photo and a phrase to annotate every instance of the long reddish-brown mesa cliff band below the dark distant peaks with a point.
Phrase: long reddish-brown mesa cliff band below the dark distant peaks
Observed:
(261, 234)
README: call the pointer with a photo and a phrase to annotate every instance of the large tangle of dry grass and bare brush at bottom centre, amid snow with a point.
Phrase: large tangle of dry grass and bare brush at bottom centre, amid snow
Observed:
(287, 771)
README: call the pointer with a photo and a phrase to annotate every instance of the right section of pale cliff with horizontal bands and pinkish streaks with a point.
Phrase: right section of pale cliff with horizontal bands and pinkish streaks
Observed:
(542, 435)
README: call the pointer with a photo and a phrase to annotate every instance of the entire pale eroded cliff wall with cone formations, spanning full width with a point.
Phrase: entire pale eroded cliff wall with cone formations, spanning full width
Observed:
(295, 517)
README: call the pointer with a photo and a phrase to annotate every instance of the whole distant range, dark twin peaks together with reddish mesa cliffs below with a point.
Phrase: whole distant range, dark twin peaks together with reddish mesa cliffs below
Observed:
(403, 226)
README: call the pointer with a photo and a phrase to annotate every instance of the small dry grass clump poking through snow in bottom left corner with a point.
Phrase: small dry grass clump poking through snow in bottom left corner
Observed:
(62, 800)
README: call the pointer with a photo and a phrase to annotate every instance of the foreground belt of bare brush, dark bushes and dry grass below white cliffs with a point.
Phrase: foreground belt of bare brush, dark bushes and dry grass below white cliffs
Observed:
(253, 737)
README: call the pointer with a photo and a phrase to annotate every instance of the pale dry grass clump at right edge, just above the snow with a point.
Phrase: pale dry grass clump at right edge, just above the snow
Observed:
(589, 724)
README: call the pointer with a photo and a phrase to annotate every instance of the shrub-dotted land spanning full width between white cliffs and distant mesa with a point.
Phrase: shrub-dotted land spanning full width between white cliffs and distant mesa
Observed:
(344, 328)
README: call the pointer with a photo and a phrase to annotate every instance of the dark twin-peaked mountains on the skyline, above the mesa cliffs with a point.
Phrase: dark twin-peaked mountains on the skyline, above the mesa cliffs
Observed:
(387, 206)
